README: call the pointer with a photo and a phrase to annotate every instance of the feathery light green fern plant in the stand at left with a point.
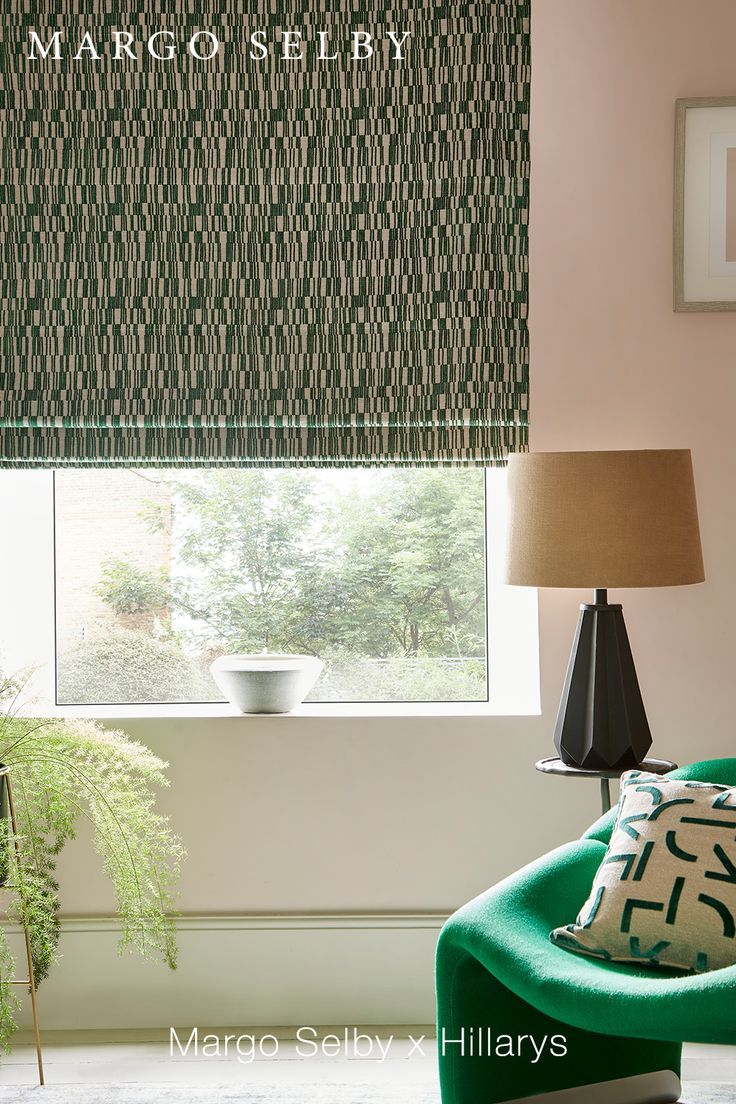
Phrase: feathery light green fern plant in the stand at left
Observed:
(62, 772)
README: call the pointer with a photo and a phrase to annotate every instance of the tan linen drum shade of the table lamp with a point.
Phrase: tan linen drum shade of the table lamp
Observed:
(606, 519)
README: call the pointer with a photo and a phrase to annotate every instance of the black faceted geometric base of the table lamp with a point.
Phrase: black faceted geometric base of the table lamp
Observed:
(602, 721)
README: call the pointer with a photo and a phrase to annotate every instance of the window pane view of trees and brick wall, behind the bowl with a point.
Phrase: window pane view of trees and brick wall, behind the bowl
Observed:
(379, 572)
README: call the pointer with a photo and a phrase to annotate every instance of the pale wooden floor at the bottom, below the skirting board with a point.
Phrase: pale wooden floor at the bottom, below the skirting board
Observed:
(135, 1057)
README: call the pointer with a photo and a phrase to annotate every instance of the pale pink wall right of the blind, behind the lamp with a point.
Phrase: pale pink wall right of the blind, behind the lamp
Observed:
(613, 366)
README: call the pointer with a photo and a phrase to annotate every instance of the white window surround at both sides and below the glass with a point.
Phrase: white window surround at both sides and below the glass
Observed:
(28, 604)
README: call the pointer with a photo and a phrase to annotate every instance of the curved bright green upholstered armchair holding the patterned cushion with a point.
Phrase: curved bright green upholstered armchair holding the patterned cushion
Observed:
(519, 1017)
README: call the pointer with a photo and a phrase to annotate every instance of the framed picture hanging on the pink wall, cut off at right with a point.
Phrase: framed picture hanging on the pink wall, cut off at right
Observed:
(706, 205)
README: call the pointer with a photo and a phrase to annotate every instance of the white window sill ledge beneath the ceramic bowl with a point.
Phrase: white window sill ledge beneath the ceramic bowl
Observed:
(216, 710)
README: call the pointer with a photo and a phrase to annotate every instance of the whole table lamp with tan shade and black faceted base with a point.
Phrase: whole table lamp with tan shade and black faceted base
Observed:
(604, 519)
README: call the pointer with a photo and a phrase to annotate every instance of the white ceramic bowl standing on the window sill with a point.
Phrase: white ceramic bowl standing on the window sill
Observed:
(266, 683)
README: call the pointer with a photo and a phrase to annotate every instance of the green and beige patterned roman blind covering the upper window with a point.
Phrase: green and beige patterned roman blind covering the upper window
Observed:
(264, 260)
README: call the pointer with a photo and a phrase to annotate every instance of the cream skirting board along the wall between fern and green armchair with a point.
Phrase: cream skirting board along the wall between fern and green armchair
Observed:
(247, 971)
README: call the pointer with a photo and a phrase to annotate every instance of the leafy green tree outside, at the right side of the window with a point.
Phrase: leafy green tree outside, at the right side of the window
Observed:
(412, 571)
